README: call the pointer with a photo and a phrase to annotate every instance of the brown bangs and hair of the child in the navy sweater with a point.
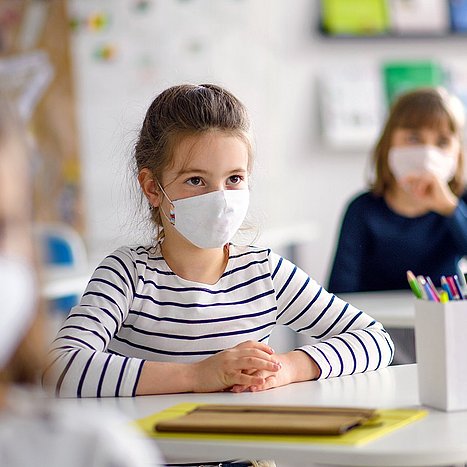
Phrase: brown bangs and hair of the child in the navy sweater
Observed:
(422, 108)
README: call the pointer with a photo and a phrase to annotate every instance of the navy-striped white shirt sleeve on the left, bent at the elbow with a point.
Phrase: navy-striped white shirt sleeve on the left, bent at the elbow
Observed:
(80, 363)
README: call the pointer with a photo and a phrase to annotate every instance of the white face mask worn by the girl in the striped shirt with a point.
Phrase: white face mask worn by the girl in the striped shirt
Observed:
(210, 220)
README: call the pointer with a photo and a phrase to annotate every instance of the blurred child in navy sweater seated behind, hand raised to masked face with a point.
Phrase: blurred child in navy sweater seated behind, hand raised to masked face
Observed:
(415, 215)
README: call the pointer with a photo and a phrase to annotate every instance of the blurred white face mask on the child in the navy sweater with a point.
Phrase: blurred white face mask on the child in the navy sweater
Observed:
(415, 160)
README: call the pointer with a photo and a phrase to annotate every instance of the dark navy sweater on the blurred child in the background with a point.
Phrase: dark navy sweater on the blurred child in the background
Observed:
(377, 246)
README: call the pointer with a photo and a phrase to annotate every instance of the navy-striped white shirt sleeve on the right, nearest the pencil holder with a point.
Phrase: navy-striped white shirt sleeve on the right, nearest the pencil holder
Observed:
(345, 340)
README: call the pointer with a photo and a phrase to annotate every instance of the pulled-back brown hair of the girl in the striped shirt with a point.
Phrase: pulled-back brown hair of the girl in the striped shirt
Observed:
(183, 111)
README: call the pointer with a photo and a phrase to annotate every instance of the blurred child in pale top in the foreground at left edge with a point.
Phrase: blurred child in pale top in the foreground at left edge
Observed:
(34, 430)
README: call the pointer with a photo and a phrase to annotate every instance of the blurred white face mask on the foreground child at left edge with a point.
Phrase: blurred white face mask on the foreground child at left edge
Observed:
(17, 292)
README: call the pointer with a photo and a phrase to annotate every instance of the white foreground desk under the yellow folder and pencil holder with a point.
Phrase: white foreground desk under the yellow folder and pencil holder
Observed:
(438, 439)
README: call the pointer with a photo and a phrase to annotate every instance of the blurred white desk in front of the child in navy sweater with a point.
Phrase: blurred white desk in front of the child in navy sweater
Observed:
(394, 308)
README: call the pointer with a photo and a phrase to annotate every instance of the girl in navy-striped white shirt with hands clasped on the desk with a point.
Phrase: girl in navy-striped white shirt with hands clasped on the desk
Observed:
(193, 312)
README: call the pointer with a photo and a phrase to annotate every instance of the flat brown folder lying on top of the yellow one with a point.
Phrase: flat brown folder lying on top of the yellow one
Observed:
(270, 420)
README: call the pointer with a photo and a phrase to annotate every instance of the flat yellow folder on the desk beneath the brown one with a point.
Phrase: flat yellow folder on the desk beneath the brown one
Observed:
(384, 421)
